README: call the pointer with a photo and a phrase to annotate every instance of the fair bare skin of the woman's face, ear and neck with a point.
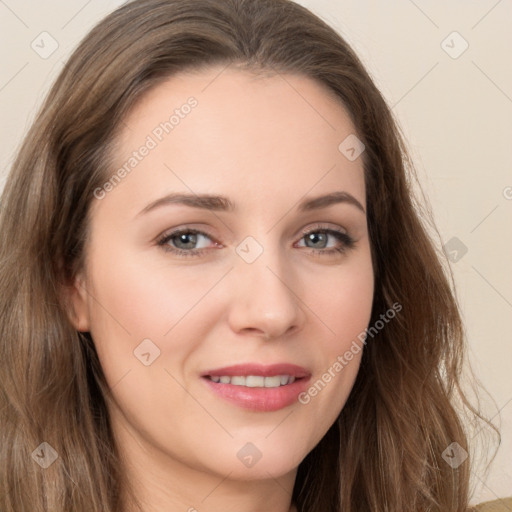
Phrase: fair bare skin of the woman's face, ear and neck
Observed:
(266, 143)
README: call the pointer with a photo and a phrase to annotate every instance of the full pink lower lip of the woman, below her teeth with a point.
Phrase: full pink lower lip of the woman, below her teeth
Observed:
(259, 399)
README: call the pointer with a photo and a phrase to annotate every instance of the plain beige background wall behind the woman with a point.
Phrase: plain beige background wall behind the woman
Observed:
(455, 110)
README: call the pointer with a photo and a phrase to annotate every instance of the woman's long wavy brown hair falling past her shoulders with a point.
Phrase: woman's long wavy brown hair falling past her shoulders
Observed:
(384, 452)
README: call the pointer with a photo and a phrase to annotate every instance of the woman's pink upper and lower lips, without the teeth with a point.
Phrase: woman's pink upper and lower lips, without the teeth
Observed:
(259, 399)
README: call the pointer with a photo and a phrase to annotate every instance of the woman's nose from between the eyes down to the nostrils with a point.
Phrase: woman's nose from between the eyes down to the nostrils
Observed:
(265, 299)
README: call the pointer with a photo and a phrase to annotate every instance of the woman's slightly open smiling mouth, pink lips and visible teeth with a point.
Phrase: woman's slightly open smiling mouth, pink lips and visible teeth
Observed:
(258, 387)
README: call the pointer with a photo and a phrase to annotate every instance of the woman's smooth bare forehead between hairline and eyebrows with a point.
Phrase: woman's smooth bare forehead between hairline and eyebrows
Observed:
(223, 130)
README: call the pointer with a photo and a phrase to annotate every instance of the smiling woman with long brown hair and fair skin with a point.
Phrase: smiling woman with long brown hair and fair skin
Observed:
(217, 292)
